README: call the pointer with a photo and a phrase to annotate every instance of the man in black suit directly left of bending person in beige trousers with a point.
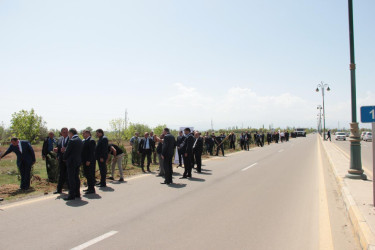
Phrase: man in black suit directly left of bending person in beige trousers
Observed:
(101, 155)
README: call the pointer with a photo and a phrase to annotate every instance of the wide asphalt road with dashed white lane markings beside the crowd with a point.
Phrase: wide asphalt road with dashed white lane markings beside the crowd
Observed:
(277, 197)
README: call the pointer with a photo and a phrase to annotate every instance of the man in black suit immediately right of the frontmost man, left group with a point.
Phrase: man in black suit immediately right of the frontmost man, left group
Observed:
(88, 161)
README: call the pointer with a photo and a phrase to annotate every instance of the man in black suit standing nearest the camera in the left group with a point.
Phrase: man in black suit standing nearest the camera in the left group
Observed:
(72, 157)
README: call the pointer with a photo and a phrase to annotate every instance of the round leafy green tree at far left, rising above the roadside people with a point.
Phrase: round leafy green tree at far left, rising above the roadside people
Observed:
(26, 125)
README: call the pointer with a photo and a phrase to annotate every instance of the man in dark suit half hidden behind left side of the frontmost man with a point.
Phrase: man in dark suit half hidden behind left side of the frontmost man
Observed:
(60, 150)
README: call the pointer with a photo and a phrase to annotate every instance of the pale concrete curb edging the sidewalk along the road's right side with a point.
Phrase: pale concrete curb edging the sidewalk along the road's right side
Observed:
(360, 226)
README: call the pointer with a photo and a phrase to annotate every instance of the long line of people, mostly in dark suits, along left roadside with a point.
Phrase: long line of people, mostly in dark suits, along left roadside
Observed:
(73, 152)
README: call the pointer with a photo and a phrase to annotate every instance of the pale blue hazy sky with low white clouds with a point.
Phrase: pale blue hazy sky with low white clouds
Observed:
(184, 63)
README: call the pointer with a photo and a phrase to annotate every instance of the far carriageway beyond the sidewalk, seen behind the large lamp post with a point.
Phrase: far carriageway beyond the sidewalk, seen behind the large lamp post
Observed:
(366, 152)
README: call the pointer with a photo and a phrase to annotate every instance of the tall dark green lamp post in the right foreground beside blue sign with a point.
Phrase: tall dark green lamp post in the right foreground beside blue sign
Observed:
(355, 171)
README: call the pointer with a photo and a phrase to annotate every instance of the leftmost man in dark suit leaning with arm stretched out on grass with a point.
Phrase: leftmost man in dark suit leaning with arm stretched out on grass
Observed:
(25, 160)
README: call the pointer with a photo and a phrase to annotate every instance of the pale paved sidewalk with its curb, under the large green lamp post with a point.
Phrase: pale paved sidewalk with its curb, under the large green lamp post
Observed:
(357, 195)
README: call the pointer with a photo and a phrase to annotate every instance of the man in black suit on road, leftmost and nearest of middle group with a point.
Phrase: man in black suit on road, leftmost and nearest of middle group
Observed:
(167, 152)
